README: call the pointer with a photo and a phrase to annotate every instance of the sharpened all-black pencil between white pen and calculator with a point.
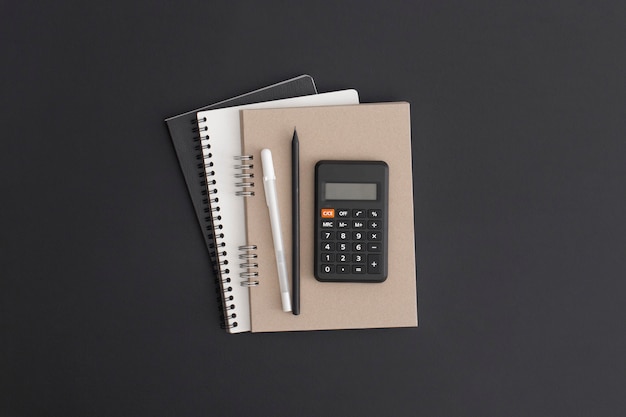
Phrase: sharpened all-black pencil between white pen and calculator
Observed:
(295, 218)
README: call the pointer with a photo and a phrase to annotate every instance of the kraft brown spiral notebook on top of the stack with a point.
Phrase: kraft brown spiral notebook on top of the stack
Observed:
(356, 132)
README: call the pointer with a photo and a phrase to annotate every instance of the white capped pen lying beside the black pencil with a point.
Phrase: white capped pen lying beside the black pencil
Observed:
(269, 184)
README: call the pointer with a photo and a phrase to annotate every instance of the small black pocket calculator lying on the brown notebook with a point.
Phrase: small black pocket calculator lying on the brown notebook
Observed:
(351, 221)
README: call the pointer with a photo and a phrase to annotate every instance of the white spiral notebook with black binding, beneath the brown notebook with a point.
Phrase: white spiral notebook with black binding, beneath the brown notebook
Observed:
(228, 182)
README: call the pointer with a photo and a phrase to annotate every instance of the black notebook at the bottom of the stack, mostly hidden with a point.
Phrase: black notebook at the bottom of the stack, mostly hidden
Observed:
(184, 133)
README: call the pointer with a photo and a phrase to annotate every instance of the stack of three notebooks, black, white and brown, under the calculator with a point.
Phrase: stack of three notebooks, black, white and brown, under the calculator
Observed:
(219, 150)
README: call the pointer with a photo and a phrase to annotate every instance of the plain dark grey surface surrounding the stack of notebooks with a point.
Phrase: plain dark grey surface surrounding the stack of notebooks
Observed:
(519, 146)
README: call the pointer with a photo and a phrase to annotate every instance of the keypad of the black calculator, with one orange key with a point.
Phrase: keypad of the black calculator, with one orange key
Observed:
(351, 242)
